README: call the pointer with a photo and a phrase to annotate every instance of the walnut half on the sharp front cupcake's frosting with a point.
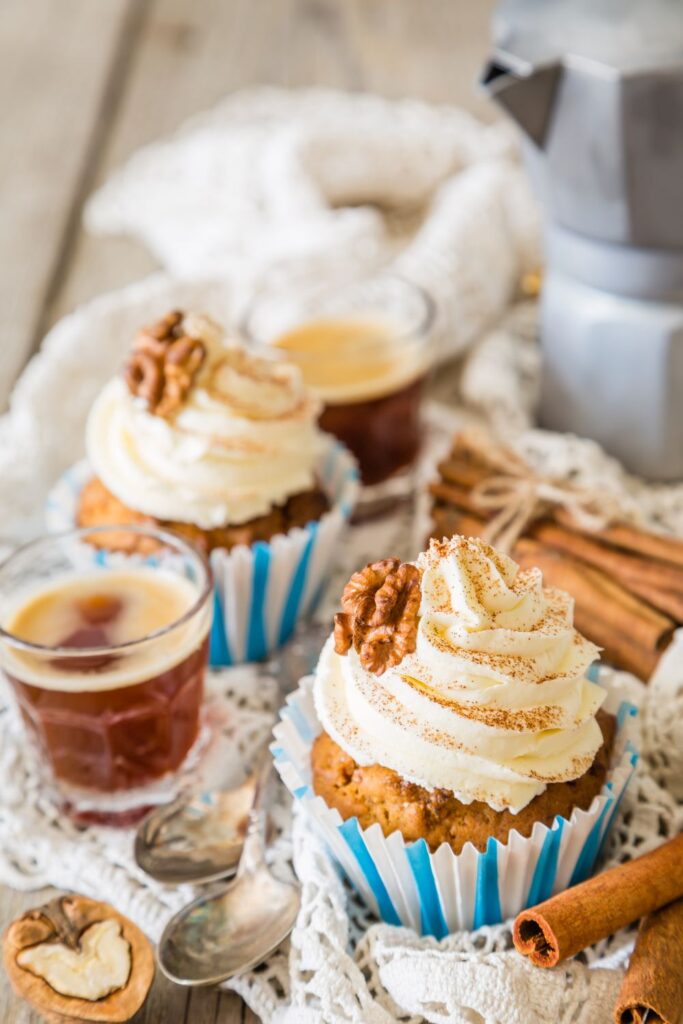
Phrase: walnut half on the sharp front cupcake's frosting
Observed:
(380, 619)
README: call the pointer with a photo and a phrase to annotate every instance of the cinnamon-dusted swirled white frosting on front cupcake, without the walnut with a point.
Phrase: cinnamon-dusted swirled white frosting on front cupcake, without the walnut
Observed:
(493, 704)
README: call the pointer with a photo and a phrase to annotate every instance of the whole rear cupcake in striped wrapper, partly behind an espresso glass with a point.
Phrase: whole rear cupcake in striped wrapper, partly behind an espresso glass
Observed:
(204, 438)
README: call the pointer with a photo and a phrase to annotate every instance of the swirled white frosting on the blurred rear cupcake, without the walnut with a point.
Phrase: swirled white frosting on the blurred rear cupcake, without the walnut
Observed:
(243, 440)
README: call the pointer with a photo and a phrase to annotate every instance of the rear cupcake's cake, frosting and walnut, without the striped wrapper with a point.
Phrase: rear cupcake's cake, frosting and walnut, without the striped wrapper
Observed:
(205, 439)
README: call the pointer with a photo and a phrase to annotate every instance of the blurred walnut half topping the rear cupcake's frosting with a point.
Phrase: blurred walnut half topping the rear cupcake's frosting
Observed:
(163, 364)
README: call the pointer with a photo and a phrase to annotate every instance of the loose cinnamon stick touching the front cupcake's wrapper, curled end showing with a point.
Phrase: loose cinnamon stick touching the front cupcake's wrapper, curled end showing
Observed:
(579, 917)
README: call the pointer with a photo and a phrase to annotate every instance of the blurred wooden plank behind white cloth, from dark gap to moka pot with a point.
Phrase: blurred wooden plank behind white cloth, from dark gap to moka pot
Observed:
(194, 55)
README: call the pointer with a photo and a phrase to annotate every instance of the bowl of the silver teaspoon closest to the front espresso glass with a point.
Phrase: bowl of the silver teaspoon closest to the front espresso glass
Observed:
(197, 839)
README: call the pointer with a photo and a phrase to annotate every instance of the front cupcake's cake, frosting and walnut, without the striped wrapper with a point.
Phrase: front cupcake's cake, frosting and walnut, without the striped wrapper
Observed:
(455, 701)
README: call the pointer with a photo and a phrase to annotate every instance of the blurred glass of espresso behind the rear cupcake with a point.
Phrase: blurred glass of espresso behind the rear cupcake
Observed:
(366, 351)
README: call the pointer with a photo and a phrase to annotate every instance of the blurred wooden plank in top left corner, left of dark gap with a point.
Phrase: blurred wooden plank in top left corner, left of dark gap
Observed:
(56, 60)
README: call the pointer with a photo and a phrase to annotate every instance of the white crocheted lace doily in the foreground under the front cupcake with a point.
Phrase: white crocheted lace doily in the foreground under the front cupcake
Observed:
(340, 967)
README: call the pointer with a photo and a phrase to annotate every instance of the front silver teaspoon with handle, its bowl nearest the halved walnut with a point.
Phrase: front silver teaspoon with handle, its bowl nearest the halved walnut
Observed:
(234, 928)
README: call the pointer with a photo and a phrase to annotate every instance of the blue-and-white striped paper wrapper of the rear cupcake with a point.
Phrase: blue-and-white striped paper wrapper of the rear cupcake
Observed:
(262, 591)
